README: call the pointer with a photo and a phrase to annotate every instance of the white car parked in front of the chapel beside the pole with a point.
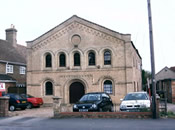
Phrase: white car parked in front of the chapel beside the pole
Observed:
(135, 101)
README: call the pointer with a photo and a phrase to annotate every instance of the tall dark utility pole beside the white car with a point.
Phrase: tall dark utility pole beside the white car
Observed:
(154, 111)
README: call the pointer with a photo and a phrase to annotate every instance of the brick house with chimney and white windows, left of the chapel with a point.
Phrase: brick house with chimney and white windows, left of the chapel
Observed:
(12, 63)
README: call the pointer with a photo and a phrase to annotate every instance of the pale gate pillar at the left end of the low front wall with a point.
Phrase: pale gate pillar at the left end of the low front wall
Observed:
(56, 106)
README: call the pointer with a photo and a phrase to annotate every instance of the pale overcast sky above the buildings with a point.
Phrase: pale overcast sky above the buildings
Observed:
(33, 18)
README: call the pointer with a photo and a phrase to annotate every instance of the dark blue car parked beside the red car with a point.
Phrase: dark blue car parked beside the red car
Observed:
(16, 101)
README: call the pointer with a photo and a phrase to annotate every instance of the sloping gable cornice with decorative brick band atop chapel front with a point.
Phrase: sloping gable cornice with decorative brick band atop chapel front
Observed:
(79, 23)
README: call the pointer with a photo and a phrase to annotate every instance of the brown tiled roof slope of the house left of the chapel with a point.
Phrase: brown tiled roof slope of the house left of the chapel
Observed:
(12, 54)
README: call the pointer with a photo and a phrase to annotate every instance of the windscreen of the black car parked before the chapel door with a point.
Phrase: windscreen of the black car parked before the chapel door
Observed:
(91, 97)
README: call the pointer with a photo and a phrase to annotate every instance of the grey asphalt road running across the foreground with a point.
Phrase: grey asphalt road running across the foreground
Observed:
(38, 123)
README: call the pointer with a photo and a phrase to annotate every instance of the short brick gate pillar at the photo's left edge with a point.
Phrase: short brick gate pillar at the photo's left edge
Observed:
(4, 106)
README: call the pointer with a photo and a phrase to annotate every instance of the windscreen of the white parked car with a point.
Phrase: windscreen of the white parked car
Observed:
(136, 96)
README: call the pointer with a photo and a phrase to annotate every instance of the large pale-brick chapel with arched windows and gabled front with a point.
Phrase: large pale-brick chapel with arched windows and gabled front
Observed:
(77, 57)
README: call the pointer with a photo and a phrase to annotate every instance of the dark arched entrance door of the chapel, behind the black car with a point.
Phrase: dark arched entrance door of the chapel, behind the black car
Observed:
(76, 91)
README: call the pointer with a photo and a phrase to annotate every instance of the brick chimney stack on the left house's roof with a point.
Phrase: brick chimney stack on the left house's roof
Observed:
(11, 35)
